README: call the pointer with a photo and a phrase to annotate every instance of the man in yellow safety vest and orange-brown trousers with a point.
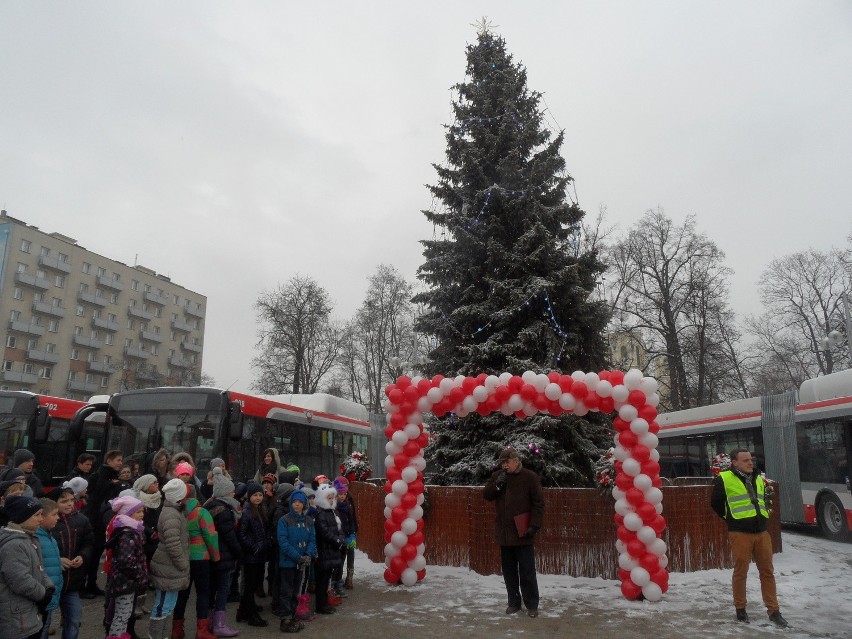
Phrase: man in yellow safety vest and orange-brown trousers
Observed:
(739, 497)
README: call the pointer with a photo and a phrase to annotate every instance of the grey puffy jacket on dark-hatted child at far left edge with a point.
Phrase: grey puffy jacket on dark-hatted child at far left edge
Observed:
(22, 583)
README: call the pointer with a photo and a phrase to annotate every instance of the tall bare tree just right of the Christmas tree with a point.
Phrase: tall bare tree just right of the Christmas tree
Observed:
(669, 288)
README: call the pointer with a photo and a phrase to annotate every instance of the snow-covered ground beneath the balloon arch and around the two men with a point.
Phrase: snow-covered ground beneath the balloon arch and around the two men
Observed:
(814, 590)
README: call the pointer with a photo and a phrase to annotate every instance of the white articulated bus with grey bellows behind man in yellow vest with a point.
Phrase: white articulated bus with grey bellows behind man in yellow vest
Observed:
(801, 439)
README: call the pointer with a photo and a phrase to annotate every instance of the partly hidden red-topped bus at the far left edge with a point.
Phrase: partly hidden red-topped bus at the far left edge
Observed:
(43, 425)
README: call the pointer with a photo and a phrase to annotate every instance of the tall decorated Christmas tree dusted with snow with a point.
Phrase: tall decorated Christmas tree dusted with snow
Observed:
(508, 288)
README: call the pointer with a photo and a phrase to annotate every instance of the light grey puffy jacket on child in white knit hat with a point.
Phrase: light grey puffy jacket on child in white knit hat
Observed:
(170, 563)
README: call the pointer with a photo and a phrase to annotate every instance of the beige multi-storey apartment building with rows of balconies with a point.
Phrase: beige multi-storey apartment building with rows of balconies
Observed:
(80, 324)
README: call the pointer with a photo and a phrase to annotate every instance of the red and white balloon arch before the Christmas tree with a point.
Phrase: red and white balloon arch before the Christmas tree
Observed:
(642, 557)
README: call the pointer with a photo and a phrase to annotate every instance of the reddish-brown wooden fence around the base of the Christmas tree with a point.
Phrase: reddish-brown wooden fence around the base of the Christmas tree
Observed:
(577, 538)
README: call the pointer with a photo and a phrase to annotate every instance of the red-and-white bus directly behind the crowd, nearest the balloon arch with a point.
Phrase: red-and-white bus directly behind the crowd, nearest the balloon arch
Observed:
(316, 432)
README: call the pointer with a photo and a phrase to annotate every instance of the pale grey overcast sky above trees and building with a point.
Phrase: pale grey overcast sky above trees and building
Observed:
(231, 145)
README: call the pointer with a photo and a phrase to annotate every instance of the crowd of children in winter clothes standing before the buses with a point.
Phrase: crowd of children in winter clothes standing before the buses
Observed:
(170, 531)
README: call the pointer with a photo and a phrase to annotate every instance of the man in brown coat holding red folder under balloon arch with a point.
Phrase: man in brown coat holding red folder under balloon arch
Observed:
(519, 504)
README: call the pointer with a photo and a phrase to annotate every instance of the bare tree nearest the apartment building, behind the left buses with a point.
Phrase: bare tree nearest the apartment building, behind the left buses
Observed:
(298, 341)
